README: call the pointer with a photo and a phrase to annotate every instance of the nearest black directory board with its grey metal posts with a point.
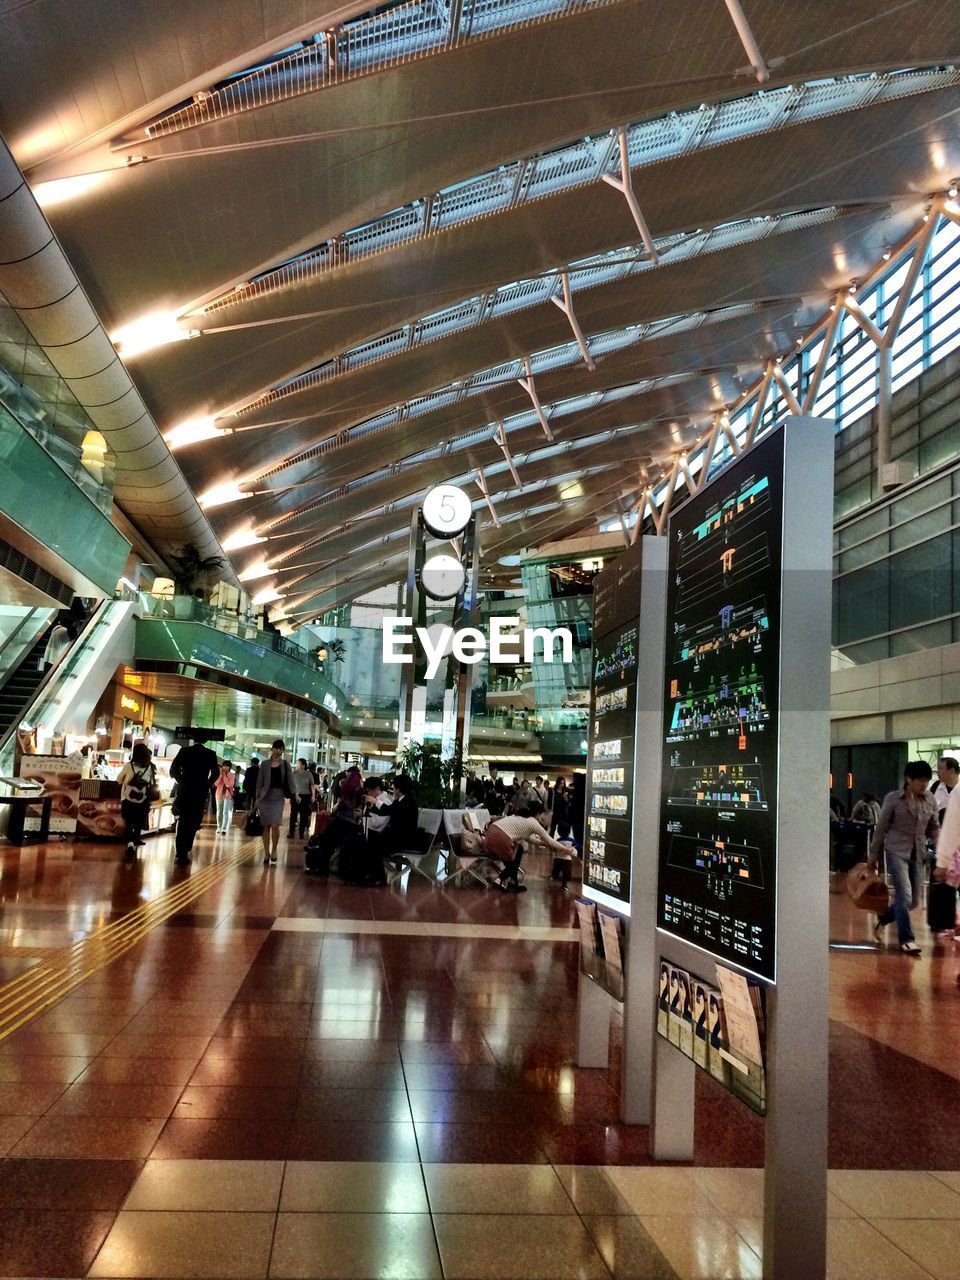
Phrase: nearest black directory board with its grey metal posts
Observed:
(738, 644)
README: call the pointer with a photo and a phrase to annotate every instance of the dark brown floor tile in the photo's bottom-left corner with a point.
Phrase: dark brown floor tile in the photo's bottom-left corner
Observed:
(51, 1242)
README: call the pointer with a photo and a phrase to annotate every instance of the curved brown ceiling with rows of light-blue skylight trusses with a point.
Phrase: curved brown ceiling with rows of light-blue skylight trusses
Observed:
(369, 262)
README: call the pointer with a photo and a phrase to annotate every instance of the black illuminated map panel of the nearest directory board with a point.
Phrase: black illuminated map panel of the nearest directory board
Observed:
(717, 885)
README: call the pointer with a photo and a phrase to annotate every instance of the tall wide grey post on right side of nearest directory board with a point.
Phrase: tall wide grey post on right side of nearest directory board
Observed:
(796, 1182)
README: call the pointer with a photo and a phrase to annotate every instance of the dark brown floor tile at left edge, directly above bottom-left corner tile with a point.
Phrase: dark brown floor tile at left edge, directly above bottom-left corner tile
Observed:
(70, 1185)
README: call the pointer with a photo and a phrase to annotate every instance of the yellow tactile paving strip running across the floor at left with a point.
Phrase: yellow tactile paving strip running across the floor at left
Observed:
(68, 968)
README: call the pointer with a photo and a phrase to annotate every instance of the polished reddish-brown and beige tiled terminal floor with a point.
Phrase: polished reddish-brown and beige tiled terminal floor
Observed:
(237, 1071)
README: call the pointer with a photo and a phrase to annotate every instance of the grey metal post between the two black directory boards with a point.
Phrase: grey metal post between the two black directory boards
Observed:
(641, 979)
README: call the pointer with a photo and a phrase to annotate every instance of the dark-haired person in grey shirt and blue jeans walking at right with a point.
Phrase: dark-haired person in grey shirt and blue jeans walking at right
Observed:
(908, 821)
